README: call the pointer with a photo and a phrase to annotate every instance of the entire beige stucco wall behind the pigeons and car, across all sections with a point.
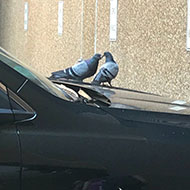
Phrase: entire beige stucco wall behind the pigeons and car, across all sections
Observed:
(150, 49)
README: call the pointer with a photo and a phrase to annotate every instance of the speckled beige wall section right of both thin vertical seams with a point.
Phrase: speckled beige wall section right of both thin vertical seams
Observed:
(151, 45)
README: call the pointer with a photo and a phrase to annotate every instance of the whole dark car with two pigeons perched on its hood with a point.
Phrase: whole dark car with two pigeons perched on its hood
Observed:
(67, 134)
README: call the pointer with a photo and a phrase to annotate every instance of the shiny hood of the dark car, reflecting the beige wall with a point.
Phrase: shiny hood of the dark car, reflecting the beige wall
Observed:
(136, 100)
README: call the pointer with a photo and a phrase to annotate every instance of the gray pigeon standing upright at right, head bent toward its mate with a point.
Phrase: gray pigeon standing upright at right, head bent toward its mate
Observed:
(107, 71)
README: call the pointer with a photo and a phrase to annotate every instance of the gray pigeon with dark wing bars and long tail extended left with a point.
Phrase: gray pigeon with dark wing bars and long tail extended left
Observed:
(79, 71)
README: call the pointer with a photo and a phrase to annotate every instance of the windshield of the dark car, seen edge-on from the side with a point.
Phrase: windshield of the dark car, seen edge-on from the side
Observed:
(30, 74)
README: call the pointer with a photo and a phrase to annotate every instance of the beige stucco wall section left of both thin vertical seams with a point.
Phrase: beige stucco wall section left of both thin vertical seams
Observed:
(41, 46)
